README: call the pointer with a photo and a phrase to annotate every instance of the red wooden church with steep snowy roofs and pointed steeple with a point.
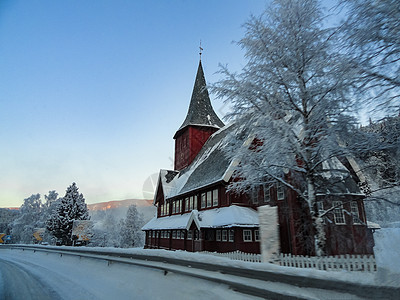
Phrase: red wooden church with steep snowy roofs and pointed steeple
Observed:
(195, 212)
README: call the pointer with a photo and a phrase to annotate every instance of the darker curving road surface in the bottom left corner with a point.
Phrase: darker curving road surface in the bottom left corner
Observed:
(18, 283)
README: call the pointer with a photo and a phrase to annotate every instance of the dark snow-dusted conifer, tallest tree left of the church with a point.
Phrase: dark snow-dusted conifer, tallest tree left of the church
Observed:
(71, 207)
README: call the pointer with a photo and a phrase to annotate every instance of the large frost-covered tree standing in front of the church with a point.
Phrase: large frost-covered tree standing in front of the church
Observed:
(292, 104)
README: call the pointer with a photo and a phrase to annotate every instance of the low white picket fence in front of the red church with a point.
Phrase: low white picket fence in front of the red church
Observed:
(361, 263)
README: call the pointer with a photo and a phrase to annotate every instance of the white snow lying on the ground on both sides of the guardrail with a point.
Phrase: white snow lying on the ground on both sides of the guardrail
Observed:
(76, 278)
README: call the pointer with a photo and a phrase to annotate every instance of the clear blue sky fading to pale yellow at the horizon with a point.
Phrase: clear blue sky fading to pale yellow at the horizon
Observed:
(93, 91)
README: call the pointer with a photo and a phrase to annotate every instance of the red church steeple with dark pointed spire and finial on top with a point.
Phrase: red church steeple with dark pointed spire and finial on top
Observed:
(200, 123)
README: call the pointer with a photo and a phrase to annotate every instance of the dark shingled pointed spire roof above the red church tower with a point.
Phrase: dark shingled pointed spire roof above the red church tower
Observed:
(200, 111)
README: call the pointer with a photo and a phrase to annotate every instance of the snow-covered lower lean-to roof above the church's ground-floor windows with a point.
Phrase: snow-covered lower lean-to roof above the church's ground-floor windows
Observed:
(224, 217)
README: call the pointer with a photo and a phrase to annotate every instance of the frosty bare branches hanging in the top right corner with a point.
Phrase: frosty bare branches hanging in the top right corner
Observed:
(372, 31)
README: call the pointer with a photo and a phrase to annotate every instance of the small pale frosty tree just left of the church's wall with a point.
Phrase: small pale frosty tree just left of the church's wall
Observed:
(131, 228)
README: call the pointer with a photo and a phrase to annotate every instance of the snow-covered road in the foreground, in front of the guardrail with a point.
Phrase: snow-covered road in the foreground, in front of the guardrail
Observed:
(28, 275)
